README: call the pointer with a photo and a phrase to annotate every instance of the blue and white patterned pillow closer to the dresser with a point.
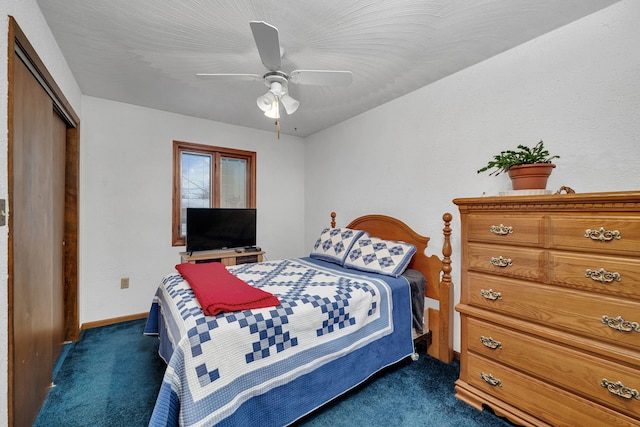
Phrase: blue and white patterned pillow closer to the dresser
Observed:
(380, 256)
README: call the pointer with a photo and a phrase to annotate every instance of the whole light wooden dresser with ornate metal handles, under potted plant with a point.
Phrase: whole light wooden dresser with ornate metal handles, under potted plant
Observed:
(550, 308)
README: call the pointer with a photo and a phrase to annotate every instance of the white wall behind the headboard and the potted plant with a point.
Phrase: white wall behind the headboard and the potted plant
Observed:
(577, 88)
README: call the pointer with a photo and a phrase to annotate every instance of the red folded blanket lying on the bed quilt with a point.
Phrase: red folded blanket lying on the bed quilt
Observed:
(217, 290)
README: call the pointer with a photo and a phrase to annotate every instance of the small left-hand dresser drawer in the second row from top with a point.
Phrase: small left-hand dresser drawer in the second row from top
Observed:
(506, 260)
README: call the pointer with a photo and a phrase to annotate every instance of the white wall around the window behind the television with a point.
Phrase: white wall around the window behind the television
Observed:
(125, 199)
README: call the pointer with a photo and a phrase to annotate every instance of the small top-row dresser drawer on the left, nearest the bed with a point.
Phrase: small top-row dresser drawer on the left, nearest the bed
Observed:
(507, 229)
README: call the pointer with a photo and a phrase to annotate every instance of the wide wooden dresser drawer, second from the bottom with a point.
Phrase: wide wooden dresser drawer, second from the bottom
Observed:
(557, 364)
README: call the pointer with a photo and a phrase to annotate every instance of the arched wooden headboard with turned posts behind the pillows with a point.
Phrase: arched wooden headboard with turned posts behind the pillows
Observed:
(436, 270)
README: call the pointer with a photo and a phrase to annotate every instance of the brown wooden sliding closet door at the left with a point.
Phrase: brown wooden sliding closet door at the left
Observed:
(37, 215)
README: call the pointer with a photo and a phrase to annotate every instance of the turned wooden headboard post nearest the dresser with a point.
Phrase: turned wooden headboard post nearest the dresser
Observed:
(445, 346)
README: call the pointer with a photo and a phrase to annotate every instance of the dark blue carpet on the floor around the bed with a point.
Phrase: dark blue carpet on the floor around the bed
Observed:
(112, 375)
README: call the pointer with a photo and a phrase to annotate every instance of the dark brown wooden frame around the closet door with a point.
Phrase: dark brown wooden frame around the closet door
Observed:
(21, 49)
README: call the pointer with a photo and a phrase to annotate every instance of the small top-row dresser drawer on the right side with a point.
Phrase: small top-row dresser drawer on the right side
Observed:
(602, 234)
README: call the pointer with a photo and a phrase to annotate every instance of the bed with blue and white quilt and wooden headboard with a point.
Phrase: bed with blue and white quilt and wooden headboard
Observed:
(335, 323)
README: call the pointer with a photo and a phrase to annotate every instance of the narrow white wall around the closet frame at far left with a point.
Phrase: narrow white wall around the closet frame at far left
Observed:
(32, 23)
